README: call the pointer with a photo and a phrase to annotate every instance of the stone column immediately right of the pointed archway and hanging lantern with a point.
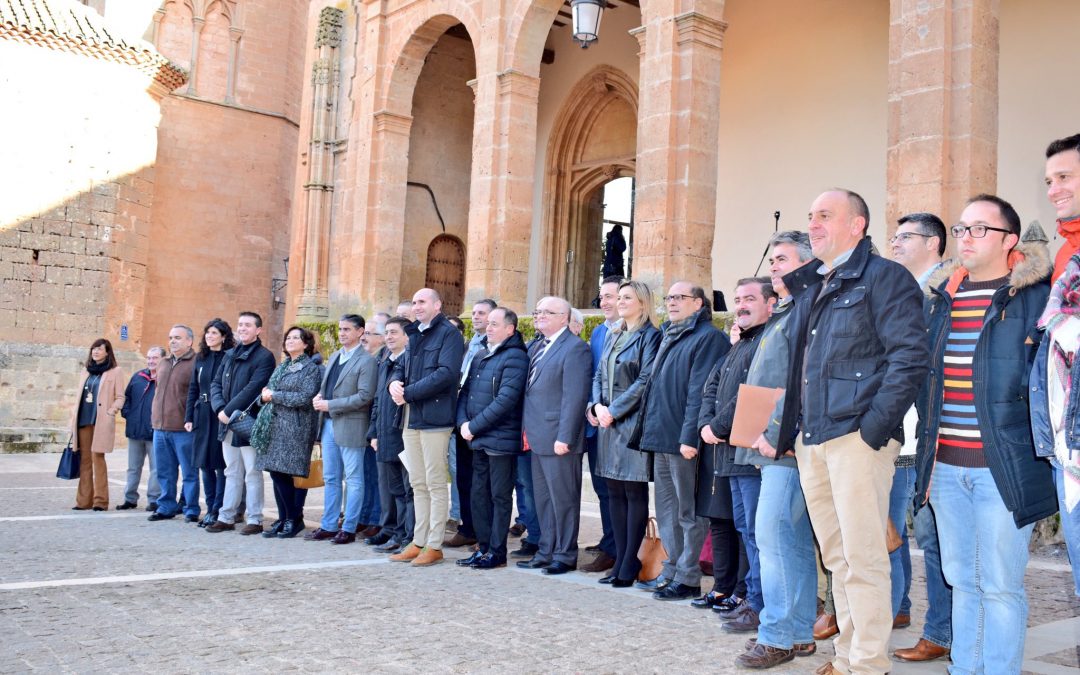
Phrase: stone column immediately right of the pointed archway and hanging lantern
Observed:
(678, 137)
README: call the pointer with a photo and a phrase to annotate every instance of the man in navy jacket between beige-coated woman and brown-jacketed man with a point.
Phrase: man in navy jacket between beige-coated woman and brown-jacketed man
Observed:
(138, 400)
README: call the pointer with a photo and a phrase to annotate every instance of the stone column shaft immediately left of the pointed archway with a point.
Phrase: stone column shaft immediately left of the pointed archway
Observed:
(501, 198)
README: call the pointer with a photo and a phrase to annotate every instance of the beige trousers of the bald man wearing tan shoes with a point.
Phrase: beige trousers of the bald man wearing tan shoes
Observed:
(425, 458)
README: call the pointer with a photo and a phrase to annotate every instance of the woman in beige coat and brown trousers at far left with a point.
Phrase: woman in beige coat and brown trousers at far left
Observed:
(93, 425)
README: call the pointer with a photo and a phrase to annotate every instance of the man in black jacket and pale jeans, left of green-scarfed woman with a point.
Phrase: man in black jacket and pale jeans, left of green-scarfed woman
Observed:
(246, 370)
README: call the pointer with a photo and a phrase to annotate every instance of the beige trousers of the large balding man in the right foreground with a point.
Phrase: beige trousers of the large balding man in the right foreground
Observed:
(847, 488)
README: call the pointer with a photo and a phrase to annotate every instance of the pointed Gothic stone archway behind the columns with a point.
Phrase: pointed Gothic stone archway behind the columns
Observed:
(592, 143)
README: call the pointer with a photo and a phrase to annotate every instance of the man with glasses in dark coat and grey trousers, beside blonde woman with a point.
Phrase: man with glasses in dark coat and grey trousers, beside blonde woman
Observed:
(668, 427)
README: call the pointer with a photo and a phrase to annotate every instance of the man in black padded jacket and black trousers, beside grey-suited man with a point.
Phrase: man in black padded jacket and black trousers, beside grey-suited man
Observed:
(490, 415)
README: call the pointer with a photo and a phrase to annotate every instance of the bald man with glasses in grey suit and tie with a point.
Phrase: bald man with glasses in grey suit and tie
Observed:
(557, 395)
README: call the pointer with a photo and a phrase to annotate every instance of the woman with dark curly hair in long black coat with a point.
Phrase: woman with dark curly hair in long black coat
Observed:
(200, 417)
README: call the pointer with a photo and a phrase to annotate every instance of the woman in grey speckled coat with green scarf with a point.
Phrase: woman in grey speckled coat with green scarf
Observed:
(285, 433)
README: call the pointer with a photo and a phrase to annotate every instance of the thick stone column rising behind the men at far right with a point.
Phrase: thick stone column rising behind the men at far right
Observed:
(943, 105)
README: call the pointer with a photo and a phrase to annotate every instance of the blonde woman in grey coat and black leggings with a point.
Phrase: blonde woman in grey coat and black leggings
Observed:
(629, 352)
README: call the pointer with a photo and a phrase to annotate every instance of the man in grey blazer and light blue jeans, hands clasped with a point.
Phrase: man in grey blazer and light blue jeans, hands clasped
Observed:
(345, 408)
